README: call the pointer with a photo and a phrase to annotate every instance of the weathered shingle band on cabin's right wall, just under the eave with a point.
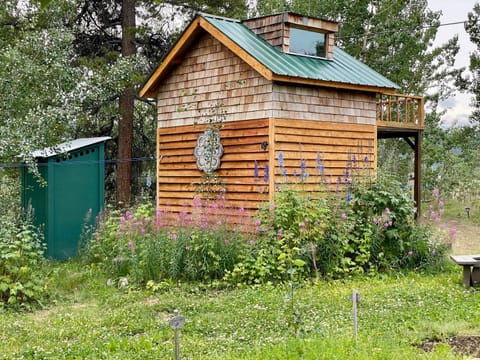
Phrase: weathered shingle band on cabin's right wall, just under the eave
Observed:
(321, 104)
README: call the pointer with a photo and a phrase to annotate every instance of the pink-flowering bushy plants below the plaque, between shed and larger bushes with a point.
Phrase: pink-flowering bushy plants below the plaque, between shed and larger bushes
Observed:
(141, 246)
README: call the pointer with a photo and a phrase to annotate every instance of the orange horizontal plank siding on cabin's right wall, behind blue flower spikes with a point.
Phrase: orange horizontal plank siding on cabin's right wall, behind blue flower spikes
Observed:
(337, 145)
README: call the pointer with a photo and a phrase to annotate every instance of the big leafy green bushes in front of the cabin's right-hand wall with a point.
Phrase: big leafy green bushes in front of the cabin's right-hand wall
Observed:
(301, 236)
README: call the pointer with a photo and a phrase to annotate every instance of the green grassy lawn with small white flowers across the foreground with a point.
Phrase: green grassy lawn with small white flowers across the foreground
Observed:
(89, 319)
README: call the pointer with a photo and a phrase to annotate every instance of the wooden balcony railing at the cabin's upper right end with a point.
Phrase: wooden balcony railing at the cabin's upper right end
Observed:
(396, 111)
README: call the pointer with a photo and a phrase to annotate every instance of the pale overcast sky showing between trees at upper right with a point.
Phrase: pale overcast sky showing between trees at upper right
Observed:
(458, 107)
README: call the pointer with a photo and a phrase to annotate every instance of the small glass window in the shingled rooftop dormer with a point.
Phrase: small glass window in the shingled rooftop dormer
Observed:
(307, 42)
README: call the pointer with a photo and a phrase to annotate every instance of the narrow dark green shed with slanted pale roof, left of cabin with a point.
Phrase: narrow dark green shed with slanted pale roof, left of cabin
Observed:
(71, 194)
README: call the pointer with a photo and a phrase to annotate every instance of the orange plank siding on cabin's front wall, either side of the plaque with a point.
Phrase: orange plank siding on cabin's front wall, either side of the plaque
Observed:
(178, 176)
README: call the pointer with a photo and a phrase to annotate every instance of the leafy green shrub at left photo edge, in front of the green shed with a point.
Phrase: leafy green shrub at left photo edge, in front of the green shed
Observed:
(21, 261)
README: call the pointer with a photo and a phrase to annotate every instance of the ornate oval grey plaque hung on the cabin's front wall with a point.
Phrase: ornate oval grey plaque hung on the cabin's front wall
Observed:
(208, 151)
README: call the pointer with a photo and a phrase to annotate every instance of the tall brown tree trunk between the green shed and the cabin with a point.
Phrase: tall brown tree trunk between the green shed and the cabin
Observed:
(126, 105)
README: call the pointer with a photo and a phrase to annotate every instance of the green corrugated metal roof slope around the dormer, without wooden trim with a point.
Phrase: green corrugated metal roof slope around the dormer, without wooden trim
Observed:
(343, 68)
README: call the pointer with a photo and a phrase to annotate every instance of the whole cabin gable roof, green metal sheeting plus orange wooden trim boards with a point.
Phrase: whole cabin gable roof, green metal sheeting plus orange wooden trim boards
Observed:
(343, 71)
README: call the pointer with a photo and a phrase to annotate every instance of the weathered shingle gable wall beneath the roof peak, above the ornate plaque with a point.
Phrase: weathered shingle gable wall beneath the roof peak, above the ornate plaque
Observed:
(210, 74)
